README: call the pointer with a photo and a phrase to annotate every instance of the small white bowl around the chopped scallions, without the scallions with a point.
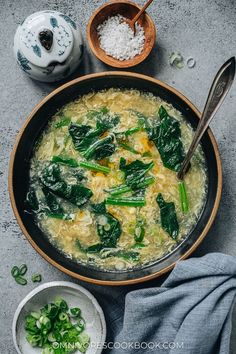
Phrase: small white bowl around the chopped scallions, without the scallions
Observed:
(75, 296)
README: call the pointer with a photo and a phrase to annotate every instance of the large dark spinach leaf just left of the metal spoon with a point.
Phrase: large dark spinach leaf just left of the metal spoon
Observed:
(166, 135)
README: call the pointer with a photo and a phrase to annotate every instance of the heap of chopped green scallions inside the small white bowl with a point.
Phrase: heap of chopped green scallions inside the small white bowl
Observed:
(55, 322)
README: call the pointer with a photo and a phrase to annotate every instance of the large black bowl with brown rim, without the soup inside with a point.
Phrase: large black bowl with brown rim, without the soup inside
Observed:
(19, 176)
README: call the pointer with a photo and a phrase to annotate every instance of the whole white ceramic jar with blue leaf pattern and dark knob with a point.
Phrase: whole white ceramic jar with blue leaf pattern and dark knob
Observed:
(48, 46)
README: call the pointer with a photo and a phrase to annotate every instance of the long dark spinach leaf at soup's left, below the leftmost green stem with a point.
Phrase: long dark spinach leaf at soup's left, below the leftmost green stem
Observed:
(76, 194)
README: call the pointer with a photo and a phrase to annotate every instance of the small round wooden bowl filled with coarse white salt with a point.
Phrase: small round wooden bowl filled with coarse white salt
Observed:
(112, 40)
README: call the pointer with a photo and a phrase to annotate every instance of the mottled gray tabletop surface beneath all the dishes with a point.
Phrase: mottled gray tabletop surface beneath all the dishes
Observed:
(204, 29)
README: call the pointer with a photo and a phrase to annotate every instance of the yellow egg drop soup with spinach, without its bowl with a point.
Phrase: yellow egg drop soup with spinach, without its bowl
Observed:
(103, 183)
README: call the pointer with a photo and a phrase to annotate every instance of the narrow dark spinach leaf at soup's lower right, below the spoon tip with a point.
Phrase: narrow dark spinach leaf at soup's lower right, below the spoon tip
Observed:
(169, 220)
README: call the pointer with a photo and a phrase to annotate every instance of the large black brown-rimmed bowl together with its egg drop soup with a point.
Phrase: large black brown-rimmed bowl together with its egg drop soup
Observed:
(93, 178)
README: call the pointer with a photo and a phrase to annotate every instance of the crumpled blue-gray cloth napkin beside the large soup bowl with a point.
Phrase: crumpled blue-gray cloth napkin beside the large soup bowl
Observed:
(189, 314)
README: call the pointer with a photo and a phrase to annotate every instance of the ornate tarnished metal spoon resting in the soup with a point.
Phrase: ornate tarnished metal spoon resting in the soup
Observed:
(218, 91)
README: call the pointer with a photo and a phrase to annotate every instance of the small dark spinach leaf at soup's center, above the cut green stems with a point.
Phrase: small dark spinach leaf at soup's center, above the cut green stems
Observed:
(135, 171)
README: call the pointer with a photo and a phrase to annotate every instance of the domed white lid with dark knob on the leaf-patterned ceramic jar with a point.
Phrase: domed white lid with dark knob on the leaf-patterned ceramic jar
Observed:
(45, 38)
